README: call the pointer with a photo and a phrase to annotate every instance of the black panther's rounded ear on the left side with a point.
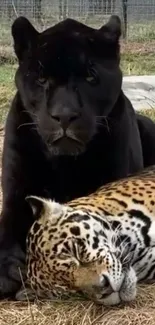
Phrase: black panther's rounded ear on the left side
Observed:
(24, 36)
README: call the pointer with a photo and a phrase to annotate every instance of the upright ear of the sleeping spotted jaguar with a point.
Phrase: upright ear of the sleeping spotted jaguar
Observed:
(37, 205)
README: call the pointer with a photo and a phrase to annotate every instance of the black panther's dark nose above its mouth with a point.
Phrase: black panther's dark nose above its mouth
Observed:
(65, 119)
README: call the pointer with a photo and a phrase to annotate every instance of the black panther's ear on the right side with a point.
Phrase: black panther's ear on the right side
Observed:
(112, 30)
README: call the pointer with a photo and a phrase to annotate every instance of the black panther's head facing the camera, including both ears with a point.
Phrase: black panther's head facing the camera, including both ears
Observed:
(68, 79)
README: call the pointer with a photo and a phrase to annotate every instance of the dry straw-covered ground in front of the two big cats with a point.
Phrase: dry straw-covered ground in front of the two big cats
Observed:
(78, 312)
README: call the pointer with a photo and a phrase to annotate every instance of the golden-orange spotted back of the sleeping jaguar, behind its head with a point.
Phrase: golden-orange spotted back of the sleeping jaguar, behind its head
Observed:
(134, 192)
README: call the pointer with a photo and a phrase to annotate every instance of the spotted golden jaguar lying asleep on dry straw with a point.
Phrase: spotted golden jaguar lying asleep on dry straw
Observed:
(100, 245)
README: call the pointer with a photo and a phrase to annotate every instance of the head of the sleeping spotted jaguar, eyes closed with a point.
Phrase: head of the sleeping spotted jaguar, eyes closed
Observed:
(71, 250)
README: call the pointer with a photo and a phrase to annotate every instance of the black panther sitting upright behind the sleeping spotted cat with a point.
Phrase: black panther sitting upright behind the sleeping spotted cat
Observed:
(69, 130)
